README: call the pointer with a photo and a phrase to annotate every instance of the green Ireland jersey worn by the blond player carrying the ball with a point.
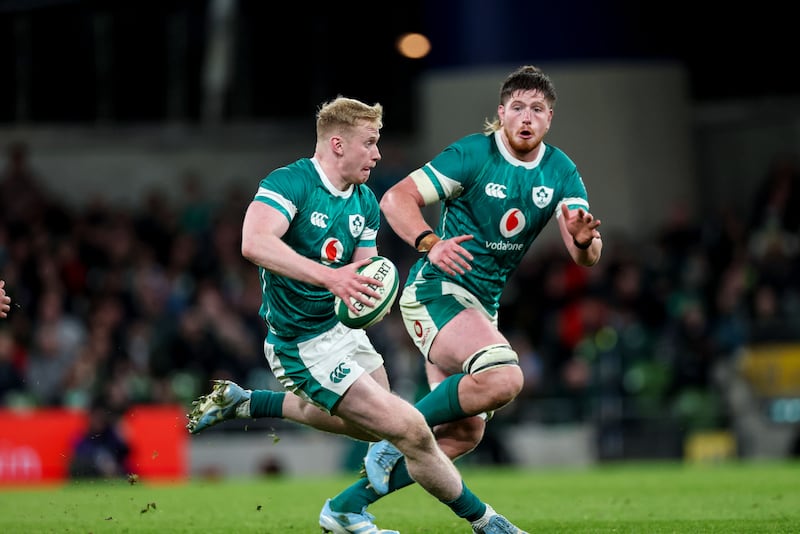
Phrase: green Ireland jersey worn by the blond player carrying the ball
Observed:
(326, 225)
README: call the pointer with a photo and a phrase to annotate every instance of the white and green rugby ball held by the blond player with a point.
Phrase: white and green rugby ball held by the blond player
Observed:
(383, 270)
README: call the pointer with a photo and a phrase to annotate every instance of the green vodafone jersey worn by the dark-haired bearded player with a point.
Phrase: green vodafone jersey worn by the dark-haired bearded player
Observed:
(503, 202)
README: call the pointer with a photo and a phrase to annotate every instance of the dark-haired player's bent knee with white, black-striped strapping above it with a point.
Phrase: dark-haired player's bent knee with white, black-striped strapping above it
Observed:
(496, 368)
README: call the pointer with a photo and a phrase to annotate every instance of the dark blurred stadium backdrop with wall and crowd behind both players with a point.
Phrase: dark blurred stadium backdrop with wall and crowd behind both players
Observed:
(147, 125)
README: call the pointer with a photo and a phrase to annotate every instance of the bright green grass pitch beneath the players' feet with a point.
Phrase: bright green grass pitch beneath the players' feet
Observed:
(732, 498)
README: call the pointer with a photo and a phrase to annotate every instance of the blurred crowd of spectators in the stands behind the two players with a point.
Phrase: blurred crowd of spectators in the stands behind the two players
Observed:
(118, 305)
